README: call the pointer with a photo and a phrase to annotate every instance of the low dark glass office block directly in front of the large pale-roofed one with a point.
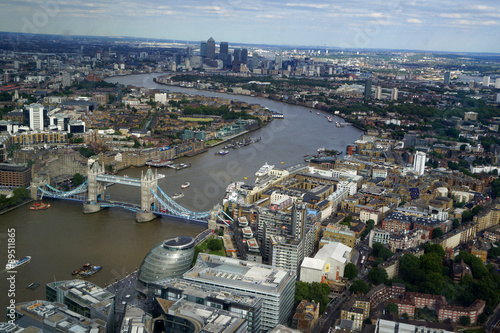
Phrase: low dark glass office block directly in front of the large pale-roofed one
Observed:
(249, 306)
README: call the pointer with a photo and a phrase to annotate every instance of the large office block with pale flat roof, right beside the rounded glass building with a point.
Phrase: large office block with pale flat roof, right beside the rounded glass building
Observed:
(275, 286)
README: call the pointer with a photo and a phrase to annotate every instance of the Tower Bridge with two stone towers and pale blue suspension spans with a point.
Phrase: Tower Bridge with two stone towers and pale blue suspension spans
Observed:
(92, 193)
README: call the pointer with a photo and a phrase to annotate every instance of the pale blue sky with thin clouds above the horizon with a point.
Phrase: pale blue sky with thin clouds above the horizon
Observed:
(442, 25)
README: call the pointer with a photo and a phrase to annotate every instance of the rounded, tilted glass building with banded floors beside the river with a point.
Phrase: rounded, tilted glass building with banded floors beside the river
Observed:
(169, 259)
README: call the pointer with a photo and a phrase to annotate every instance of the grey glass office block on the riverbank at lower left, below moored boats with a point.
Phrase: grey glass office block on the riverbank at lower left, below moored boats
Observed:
(84, 298)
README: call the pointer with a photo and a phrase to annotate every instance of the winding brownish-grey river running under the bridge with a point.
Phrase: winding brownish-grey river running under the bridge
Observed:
(62, 238)
